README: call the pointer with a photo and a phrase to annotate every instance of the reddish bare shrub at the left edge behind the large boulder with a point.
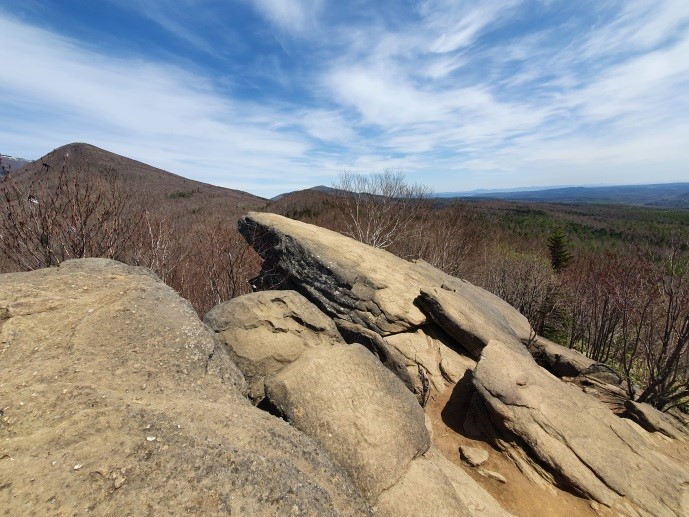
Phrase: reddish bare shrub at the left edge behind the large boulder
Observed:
(77, 213)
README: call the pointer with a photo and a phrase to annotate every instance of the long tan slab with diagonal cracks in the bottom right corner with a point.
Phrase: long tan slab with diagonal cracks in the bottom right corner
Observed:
(561, 431)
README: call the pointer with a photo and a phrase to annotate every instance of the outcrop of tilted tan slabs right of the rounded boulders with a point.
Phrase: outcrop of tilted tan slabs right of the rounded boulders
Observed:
(552, 430)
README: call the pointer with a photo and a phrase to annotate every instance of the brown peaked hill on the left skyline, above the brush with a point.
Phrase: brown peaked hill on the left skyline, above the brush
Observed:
(164, 191)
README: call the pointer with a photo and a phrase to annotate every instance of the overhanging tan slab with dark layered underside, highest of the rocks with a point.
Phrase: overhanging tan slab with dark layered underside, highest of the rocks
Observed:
(352, 281)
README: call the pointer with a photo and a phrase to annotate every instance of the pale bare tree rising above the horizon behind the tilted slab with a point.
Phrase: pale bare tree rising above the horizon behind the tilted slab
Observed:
(379, 208)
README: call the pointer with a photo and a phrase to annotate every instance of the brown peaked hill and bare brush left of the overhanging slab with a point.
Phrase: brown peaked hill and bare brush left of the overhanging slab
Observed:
(80, 201)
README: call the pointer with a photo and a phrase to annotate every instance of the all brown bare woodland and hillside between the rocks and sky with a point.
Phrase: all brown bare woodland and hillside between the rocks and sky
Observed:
(626, 303)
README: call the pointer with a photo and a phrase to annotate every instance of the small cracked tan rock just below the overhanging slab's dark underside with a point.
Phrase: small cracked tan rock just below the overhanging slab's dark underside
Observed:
(267, 330)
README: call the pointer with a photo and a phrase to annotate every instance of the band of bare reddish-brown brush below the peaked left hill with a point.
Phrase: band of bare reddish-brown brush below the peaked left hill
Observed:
(82, 212)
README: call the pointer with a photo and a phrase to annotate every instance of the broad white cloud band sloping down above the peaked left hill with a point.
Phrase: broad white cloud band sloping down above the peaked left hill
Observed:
(153, 112)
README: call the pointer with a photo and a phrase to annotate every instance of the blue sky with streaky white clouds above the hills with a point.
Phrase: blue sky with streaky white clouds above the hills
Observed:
(274, 95)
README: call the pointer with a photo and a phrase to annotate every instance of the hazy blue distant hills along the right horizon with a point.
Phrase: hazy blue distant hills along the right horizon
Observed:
(665, 195)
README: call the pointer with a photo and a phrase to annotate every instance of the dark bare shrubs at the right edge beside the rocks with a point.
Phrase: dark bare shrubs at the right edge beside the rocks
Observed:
(632, 311)
